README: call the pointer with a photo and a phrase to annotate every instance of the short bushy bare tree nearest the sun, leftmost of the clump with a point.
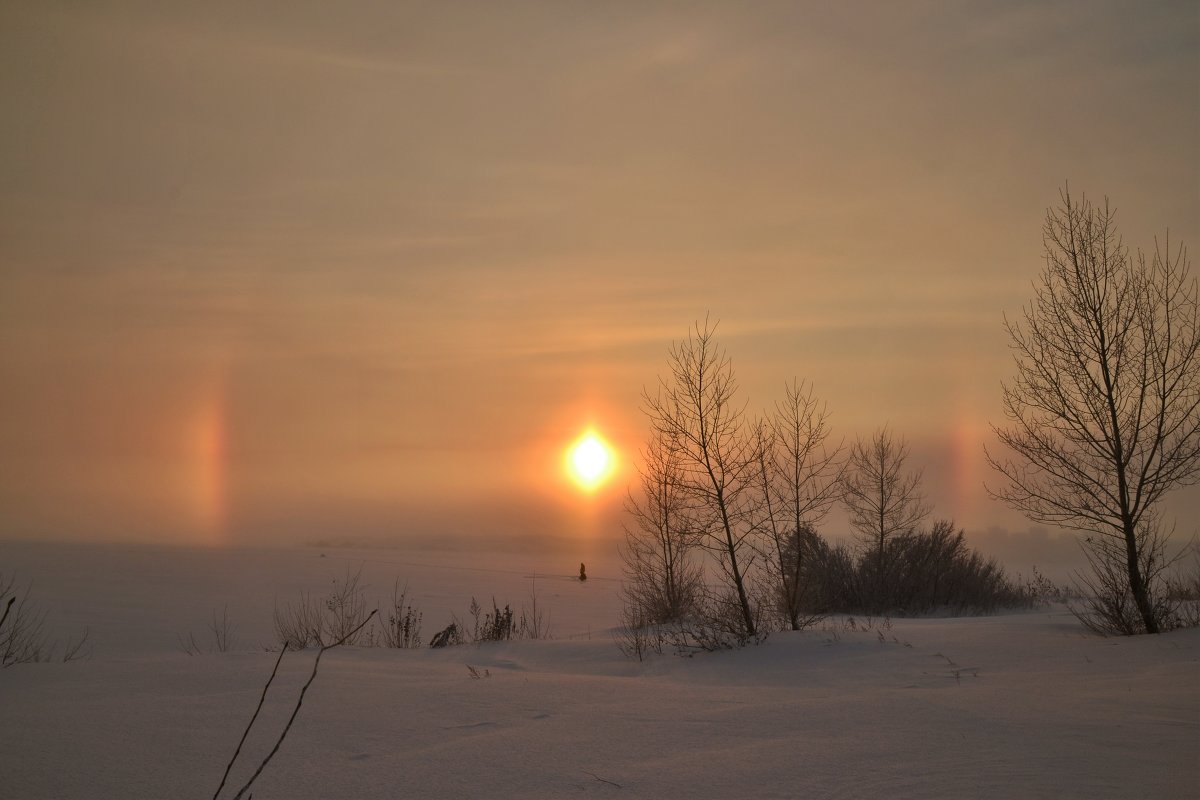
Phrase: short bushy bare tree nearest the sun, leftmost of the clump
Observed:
(662, 580)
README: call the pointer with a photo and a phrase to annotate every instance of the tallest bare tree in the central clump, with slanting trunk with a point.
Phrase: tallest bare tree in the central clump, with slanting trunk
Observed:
(695, 411)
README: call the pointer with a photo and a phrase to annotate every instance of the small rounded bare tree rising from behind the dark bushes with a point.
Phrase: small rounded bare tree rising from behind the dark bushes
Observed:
(884, 501)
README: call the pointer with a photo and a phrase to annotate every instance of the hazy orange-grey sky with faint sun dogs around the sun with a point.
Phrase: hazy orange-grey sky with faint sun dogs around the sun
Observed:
(363, 269)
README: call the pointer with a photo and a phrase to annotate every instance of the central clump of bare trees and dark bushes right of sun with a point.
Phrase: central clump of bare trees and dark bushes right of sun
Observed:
(724, 544)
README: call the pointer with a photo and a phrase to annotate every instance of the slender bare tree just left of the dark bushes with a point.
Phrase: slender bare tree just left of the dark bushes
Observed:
(799, 479)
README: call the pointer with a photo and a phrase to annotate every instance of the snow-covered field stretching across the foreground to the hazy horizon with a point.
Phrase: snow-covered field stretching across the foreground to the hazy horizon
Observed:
(1024, 706)
